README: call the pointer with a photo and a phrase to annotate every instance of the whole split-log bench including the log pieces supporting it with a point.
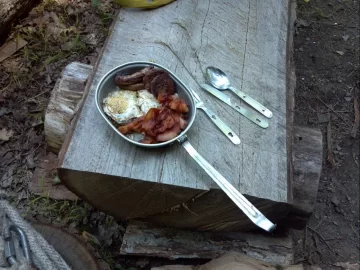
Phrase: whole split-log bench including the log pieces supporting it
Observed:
(278, 169)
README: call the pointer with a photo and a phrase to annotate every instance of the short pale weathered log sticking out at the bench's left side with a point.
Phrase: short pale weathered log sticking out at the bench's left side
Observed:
(63, 105)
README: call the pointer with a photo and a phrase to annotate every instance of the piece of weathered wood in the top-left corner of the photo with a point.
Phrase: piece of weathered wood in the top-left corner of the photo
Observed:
(11, 10)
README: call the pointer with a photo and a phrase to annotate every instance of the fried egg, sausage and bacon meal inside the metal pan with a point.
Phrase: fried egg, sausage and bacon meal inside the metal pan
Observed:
(147, 103)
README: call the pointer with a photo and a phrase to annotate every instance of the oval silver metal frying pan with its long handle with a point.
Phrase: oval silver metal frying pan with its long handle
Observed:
(107, 85)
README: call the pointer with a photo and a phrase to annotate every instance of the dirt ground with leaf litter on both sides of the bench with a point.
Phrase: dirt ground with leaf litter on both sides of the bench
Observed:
(327, 69)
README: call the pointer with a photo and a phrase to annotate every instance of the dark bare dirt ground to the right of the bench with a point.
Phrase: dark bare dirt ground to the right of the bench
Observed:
(327, 70)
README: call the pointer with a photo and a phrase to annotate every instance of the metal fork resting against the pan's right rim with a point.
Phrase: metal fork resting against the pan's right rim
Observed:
(229, 133)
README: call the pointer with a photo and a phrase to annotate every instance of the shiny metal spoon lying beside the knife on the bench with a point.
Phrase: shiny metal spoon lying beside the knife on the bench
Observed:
(219, 80)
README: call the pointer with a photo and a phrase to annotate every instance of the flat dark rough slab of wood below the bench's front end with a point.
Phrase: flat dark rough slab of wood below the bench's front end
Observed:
(143, 239)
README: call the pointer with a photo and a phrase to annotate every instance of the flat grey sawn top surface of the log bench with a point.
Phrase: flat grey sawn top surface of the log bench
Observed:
(186, 37)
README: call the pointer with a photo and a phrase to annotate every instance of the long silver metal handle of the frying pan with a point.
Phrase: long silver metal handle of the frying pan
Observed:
(247, 207)
